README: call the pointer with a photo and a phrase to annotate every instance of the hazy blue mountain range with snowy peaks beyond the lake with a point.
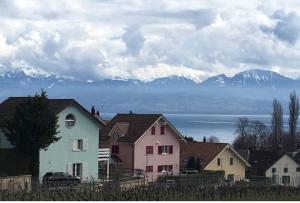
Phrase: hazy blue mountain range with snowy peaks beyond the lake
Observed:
(248, 92)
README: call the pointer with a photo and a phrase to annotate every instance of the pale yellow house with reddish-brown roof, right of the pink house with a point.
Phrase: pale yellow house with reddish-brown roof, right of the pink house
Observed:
(215, 157)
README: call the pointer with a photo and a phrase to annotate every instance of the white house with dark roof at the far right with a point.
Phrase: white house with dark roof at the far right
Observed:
(280, 167)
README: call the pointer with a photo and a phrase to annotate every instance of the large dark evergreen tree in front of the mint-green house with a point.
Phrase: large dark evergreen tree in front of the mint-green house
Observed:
(32, 127)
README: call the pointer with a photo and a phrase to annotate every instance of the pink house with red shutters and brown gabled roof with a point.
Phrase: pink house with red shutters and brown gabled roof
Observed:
(147, 142)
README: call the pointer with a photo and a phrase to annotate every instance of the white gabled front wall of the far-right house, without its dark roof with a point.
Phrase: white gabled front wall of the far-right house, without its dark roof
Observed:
(285, 171)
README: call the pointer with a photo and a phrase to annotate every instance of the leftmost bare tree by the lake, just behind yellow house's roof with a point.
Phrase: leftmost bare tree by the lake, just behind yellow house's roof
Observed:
(241, 131)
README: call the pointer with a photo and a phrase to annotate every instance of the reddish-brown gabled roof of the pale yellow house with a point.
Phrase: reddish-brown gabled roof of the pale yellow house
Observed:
(205, 151)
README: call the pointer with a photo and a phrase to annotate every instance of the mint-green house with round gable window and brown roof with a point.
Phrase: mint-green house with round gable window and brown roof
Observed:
(77, 150)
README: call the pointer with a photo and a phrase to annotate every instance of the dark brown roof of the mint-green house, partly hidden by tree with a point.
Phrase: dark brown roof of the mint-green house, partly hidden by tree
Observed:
(57, 105)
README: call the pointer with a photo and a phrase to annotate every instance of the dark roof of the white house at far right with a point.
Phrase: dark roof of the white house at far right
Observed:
(262, 160)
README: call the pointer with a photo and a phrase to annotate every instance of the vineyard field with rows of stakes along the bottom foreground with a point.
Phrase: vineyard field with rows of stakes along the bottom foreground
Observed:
(160, 192)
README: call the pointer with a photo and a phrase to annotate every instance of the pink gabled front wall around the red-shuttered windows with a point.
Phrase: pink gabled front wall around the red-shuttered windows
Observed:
(155, 159)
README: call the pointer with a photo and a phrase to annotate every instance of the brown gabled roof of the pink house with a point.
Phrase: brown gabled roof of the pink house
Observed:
(131, 126)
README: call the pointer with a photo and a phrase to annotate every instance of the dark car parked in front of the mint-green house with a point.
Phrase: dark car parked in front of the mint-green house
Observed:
(60, 179)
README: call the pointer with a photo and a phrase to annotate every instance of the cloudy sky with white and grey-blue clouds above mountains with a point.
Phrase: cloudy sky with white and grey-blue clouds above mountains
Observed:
(148, 39)
